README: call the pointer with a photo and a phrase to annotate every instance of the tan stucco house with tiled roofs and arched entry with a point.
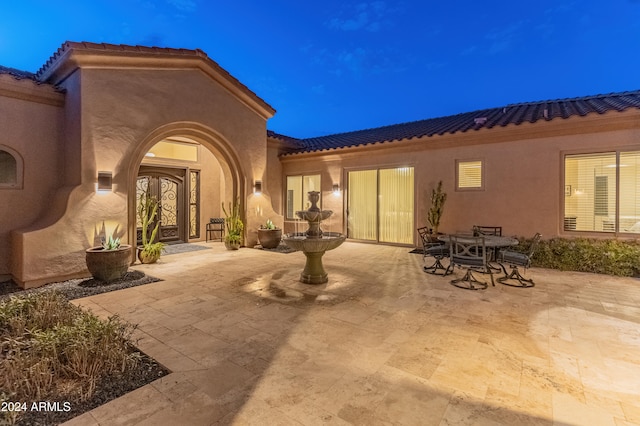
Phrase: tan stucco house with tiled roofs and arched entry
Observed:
(98, 123)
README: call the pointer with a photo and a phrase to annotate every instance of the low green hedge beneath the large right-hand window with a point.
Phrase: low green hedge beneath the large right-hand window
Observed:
(612, 257)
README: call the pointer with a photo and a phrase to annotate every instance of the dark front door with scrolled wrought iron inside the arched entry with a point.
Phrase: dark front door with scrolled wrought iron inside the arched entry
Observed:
(167, 185)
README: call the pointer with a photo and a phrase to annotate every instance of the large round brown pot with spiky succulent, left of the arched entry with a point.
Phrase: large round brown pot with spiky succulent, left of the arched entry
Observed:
(110, 261)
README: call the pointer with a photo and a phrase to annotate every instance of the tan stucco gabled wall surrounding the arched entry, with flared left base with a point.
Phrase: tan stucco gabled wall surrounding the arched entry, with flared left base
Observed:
(113, 118)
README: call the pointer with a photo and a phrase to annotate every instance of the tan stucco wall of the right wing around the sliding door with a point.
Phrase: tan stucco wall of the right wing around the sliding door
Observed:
(523, 187)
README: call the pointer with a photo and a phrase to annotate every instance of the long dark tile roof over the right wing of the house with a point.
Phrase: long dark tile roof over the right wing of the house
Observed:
(488, 118)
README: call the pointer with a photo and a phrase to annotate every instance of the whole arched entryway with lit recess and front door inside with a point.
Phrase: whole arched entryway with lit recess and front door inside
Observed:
(191, 169)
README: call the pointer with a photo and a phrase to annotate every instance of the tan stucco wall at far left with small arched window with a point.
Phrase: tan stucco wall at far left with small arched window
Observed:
(32, 126)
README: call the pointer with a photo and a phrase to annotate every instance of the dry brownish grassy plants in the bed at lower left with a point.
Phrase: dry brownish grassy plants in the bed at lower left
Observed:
(53, 350)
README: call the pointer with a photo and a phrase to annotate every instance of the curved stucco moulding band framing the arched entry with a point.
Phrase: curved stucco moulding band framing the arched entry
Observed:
(216, 143)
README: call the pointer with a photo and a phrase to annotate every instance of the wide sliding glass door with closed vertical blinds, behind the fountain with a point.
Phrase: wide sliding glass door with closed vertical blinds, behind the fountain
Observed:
(380, 205)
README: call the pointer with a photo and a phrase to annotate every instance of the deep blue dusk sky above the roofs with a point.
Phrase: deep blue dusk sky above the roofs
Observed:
(337, 66)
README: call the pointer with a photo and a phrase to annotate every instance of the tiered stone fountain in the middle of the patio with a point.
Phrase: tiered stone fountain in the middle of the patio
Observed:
(314, 243)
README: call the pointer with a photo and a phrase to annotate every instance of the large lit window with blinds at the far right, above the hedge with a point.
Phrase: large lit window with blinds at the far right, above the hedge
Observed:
(602, 192)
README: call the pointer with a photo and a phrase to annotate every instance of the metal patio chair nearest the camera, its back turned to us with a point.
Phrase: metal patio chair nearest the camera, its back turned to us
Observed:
(470, 253)
